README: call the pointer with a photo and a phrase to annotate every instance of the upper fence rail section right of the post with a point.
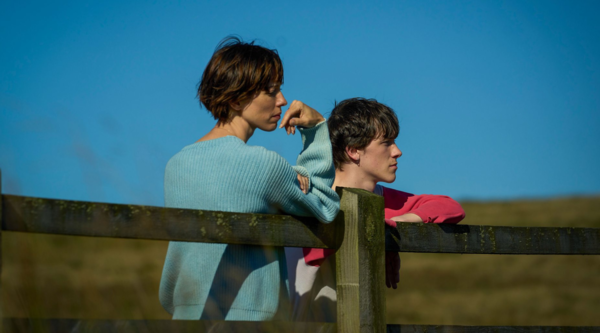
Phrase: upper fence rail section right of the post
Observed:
(481, 239)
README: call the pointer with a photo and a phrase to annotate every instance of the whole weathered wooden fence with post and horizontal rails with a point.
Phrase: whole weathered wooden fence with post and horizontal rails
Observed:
(358, 233)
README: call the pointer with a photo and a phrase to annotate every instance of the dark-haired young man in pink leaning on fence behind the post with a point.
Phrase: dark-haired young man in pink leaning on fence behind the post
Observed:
(362, 133)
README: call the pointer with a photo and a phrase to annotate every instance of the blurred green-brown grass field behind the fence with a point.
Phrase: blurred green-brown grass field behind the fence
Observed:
(79, 277)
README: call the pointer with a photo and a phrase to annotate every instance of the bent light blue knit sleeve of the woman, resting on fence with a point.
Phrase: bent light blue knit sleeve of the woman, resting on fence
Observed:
(316, 158)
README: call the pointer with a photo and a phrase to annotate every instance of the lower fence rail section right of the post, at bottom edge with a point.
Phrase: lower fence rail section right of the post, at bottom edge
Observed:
(490, 329)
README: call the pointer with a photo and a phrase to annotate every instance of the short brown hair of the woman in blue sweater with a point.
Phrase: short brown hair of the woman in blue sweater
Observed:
(237, 71)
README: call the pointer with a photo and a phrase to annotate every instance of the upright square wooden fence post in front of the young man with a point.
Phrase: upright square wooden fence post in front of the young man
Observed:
(360, 271)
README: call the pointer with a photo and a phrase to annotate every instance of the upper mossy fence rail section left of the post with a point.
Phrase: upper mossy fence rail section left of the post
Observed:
(80, 218)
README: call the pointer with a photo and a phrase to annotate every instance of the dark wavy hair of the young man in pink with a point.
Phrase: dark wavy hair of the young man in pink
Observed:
(355, 122)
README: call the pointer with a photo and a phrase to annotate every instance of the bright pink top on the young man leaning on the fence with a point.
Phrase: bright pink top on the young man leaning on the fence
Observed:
(430, 208)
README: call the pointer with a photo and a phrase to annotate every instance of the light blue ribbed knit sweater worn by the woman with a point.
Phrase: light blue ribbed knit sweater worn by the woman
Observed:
(240, 282)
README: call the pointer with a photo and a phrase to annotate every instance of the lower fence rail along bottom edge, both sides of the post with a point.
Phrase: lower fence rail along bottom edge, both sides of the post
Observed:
(18, 325)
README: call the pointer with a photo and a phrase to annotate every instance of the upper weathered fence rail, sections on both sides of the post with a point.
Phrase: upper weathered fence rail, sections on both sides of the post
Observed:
(65, 217)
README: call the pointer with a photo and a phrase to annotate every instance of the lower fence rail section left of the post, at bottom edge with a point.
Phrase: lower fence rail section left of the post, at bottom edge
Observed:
(24, 325)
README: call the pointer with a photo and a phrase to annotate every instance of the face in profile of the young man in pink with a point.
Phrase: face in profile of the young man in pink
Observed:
(378, 160)
